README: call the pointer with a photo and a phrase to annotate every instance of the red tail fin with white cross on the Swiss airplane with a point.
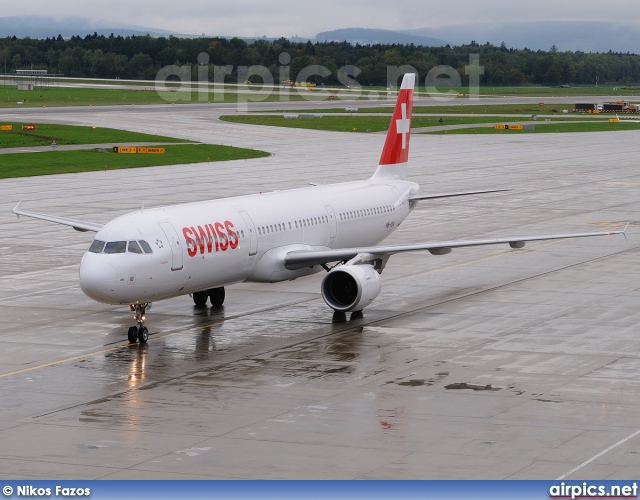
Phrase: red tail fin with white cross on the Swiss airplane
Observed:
(395, 154)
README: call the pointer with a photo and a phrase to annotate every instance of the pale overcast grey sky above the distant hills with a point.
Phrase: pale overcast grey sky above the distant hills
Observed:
(289, 18)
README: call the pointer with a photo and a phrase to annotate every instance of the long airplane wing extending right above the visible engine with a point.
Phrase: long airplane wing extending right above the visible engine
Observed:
(299, 259)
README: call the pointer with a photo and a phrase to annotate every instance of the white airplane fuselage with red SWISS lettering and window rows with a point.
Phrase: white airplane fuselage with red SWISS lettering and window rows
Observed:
(205, 245)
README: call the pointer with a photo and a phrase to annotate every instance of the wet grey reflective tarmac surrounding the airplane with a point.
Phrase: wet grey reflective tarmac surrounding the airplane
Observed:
(487, 363)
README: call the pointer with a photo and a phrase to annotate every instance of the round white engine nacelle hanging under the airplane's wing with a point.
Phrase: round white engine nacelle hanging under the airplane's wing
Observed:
(351, 288)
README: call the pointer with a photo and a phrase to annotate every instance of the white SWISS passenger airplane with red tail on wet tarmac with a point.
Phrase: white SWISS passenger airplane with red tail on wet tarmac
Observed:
(199, 248)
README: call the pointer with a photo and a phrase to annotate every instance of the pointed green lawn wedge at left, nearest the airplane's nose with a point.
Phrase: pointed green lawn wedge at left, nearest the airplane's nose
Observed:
(61, 162)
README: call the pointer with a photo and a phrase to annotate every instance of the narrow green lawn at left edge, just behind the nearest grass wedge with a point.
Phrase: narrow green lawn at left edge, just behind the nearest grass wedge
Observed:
(44, 134)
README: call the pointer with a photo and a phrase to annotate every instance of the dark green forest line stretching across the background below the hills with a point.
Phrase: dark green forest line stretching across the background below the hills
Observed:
(141, 57)
